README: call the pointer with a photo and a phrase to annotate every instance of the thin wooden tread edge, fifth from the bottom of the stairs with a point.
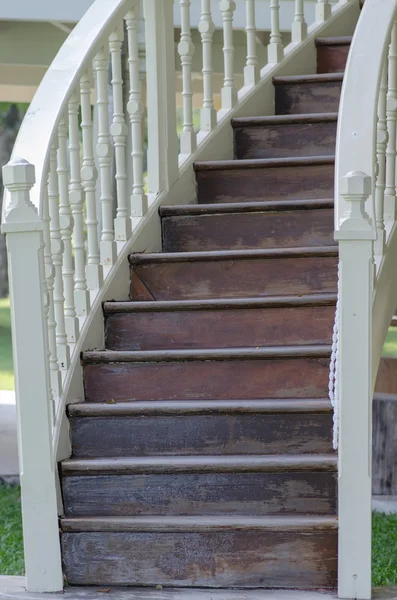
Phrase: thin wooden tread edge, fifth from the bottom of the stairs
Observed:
(113, 307)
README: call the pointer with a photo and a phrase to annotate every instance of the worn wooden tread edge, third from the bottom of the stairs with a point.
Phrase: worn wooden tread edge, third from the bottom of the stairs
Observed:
(182, 407)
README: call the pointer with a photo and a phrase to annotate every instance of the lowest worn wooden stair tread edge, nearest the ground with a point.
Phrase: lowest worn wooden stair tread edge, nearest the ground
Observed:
(199, 523)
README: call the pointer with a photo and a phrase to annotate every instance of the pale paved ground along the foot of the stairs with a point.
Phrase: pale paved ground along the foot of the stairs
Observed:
(11, 588)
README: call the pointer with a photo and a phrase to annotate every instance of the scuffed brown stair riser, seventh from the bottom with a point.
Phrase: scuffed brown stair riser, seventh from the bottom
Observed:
(254, 230)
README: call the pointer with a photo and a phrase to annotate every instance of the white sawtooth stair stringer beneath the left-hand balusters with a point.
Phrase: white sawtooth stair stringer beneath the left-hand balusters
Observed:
(218, 145)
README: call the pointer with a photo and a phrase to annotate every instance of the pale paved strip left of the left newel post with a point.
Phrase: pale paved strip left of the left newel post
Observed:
(8, 436)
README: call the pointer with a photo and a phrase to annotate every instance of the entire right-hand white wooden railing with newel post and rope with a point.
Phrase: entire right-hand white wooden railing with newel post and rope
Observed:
(365, 226)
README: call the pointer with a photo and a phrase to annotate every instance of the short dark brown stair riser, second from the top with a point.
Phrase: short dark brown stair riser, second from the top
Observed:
(306, 98)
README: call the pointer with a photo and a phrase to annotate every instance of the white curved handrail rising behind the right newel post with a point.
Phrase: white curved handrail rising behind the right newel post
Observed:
(356, 132)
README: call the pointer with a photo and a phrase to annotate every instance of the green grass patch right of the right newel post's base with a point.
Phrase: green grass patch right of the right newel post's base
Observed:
(384, 549)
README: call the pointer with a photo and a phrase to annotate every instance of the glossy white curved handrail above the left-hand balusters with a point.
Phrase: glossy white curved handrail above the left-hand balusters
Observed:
(38, 127)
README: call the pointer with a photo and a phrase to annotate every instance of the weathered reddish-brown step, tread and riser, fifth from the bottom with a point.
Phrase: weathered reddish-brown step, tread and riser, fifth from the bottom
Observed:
(244, 322)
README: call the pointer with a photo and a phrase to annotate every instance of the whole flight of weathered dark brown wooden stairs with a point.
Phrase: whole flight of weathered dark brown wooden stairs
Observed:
(202, 455)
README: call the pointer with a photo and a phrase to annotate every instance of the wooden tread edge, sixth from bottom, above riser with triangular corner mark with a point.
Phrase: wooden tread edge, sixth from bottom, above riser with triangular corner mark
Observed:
(165, 257)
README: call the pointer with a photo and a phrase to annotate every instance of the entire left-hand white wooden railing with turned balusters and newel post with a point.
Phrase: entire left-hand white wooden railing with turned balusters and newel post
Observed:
(77, 199)
